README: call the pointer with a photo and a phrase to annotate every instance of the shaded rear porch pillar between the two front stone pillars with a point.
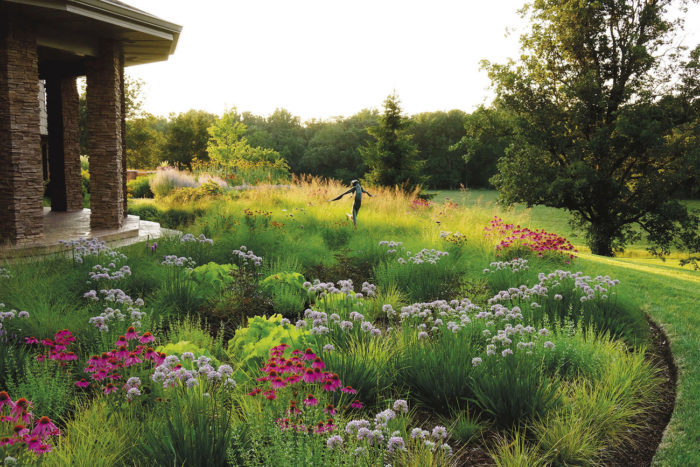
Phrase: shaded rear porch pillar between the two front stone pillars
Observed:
(64, 144)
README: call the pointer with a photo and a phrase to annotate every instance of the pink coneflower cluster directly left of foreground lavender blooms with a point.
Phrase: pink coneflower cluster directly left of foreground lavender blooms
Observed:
(108, 365)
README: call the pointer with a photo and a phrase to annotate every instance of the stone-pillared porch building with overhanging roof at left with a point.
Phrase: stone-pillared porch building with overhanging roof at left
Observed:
(47, 44)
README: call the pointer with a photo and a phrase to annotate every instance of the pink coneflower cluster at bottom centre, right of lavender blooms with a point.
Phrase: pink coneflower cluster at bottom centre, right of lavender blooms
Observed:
(301, 368)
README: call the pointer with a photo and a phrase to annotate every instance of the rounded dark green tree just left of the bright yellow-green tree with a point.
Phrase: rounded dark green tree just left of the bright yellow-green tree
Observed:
(187, 137)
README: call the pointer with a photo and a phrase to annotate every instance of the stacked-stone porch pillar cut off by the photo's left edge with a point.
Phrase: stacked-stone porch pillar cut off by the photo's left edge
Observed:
(21, 184)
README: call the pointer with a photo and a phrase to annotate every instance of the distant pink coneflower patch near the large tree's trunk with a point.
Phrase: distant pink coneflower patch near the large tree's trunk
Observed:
(538, 241)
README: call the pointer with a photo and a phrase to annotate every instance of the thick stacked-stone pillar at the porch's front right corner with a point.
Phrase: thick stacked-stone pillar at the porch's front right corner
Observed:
(104, 102)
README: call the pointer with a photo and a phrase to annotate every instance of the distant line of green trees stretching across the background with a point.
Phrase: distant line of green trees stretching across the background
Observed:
(451, 149)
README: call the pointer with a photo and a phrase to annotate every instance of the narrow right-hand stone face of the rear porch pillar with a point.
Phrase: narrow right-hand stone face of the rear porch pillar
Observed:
(71, 144)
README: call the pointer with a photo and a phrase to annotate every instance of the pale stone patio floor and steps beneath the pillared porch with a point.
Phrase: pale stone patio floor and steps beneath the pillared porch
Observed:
(76, 225)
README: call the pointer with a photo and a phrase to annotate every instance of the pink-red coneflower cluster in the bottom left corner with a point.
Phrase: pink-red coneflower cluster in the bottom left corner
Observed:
(34, 435)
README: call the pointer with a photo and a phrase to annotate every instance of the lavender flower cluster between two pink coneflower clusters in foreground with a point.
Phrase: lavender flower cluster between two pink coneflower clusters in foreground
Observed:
(172, 372)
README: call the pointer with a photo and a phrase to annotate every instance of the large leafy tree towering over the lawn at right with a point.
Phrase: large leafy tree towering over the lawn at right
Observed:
(592, 134)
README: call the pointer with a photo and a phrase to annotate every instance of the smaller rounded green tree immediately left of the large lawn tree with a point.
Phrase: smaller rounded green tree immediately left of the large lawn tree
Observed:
(489, 131)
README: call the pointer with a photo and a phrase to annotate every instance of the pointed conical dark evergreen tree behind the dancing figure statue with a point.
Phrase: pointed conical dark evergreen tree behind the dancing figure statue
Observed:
(392, 158)
